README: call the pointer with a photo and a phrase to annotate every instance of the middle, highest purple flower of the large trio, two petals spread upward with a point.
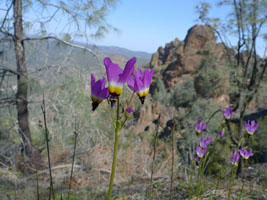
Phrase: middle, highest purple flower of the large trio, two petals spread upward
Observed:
(116, 76)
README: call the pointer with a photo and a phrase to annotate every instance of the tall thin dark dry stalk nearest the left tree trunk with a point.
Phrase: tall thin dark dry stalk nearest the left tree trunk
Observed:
(51, 191)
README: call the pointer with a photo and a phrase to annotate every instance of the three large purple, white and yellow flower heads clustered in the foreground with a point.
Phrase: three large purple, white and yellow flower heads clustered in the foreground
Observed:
(139, 82)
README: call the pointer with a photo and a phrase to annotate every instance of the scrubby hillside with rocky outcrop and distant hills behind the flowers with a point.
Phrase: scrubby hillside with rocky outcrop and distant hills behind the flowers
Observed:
(193, 80)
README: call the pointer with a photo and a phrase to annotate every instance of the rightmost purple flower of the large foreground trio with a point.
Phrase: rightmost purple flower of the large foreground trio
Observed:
(140, 83)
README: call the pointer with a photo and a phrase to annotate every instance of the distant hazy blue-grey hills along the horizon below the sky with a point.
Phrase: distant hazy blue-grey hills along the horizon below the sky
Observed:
(46, 53)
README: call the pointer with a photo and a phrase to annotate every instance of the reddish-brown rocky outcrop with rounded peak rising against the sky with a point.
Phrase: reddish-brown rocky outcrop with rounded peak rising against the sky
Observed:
(185, 57)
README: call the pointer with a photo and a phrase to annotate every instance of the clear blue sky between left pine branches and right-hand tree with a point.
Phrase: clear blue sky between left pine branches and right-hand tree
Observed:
(147, 24)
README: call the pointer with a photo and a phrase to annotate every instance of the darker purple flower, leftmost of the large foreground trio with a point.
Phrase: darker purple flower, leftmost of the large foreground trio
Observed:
(98, 91)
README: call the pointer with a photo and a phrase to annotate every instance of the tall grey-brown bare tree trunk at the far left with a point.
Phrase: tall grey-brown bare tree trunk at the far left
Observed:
(22, 80)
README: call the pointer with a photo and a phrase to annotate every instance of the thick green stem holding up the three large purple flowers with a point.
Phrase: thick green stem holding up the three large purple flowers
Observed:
(117, 136)
